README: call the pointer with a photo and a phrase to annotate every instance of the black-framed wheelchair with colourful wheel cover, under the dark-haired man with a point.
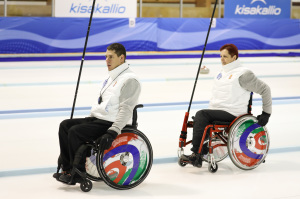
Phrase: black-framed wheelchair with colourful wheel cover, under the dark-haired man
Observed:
(125, 165)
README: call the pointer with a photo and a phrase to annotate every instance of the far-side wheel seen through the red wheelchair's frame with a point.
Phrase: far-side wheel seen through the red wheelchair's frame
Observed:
(220, 153)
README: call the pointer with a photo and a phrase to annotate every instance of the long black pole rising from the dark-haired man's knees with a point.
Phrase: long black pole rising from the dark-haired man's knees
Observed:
(83, 56)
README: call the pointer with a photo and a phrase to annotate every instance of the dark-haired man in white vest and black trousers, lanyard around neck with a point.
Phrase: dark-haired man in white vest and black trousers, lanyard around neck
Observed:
(118, 97)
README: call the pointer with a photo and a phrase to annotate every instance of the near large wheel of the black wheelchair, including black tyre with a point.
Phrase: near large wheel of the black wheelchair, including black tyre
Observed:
(128, 162)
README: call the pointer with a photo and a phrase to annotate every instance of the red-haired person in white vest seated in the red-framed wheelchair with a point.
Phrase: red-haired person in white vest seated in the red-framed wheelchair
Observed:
(230, 97)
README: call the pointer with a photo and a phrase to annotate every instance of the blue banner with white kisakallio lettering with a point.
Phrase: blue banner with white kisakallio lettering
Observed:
(257, 8)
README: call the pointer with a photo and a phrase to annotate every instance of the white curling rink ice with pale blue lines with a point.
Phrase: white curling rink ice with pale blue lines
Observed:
(37, 96)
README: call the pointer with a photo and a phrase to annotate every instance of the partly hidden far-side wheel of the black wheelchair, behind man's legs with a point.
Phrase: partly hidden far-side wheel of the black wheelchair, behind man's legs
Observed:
(91, 167)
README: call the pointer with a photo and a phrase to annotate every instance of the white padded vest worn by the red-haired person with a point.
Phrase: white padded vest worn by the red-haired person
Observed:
(227, 94)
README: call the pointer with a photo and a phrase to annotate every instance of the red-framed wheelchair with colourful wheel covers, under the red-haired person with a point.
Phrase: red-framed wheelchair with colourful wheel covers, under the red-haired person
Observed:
(246, 142)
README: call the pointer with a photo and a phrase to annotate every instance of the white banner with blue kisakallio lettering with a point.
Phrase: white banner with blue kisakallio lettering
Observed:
(102, 9)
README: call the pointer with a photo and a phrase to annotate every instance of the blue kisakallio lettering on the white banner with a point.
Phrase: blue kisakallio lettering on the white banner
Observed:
(114, 8)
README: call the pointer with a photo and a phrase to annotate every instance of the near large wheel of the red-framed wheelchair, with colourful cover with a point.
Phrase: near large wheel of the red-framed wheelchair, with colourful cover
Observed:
(248, 143)
